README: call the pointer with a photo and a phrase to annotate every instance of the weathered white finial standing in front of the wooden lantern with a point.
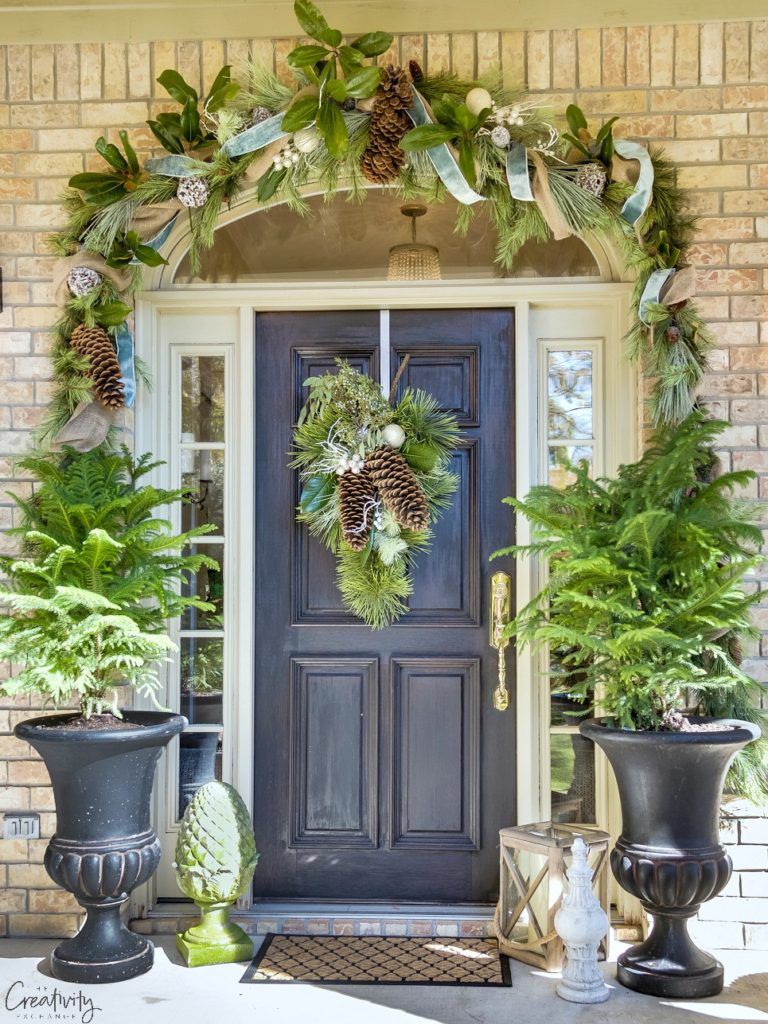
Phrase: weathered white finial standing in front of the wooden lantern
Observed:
(581, 923)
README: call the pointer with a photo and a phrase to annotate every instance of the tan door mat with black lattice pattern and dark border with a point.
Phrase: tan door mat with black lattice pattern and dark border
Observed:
(373, 960)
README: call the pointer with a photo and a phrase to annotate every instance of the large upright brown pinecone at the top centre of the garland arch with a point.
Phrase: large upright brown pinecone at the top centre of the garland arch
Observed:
(383, 158)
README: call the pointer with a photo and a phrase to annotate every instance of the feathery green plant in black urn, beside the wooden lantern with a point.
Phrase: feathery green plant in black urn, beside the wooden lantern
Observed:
(643, 614)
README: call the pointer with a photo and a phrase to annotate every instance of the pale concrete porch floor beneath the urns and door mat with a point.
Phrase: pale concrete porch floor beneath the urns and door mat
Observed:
(172, 993)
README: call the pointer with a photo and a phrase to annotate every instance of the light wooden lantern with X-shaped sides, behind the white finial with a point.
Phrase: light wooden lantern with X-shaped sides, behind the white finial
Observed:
(533, 869)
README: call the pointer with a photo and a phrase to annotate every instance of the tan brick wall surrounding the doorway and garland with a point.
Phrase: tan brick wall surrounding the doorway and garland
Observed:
(699, 91)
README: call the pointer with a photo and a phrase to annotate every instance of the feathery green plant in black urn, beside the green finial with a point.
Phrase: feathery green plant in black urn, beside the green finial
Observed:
(87, 606)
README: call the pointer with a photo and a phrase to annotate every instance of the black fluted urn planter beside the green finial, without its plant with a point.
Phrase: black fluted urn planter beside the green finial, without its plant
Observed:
(105, 845)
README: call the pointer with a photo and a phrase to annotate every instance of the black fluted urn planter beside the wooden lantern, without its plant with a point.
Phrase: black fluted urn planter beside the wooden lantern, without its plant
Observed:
(669, 855)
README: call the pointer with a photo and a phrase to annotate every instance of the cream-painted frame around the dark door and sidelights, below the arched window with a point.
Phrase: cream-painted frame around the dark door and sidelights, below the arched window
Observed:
(196, 309)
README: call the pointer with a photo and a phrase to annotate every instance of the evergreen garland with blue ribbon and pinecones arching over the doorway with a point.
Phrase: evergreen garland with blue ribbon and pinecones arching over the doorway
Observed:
(347, 124)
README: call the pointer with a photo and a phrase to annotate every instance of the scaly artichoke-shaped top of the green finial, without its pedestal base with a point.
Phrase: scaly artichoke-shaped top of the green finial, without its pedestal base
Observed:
(216, 850)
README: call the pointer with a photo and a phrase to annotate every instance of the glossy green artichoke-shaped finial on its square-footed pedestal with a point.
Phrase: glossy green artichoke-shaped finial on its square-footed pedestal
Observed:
(216, 861)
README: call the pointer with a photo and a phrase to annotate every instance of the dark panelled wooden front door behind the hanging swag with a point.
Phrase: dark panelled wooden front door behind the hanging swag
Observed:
(382, 772)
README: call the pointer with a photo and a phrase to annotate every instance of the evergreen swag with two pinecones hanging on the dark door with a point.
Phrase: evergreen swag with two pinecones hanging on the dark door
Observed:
(375, 478)
